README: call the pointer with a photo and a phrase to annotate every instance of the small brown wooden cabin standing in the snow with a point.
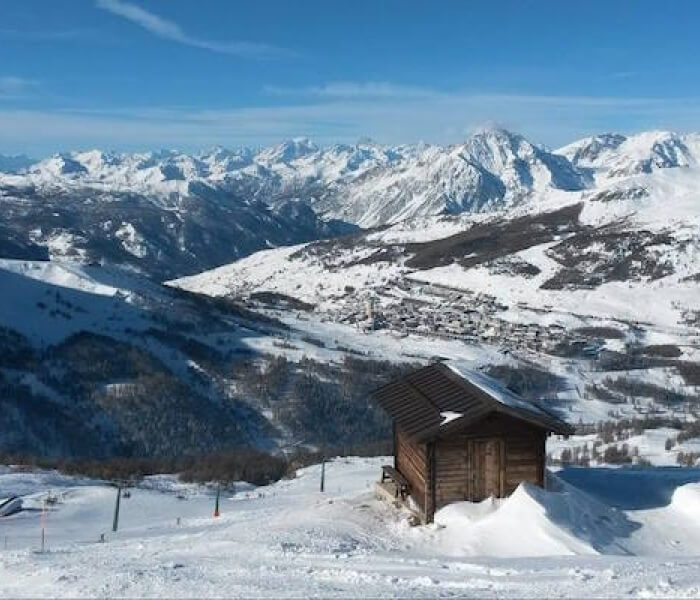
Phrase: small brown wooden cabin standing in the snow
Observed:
(460, 435)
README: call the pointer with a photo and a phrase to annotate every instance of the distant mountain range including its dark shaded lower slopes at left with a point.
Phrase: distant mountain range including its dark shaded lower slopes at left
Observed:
(169, 214)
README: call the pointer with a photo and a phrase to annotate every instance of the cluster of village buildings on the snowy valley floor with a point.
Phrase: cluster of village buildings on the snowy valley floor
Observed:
(409, 306)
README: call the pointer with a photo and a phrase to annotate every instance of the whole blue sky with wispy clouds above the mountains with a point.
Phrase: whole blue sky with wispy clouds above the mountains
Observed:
(137, 74)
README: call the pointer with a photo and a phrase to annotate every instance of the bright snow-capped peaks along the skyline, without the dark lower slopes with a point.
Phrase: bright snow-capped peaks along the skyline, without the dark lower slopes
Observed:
(369, 184)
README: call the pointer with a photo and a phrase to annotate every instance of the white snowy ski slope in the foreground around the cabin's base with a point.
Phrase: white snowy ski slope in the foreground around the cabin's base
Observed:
(599, 532)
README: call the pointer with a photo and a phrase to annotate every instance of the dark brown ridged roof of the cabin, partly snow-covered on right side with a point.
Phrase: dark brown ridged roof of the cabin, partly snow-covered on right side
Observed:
(442, 398)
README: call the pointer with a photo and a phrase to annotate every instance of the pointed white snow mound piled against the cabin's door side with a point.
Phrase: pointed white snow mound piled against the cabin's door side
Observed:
(531, 522)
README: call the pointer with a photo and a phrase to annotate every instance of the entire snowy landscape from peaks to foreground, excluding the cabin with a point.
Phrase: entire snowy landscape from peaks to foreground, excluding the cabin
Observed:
(171, 305)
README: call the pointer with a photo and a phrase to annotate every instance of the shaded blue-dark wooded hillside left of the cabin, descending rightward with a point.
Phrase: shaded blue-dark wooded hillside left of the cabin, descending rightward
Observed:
(96, 361)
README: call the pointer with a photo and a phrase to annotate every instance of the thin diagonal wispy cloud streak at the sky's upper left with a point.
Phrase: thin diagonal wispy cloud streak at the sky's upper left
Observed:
(170, 30)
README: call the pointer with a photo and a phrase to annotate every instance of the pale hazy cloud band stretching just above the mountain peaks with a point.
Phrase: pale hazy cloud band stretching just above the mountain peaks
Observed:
(436, 118)
